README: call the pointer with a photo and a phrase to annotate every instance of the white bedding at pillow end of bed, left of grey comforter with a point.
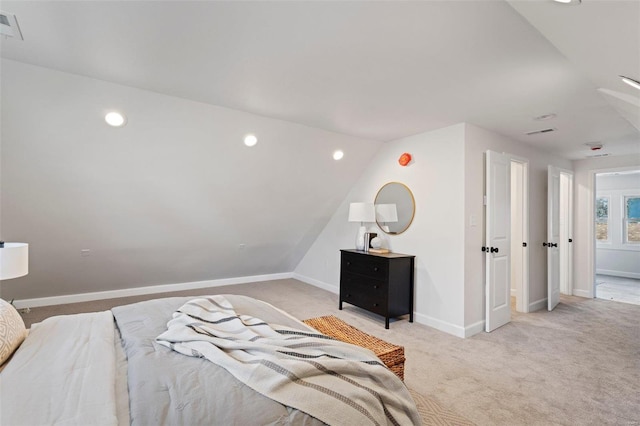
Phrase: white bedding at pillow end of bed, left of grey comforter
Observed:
(76, 383)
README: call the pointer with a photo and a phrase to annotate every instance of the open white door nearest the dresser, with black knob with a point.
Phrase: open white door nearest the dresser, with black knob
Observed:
(498, 242)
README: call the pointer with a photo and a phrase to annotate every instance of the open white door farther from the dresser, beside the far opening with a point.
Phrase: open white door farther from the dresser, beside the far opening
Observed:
(553, 238)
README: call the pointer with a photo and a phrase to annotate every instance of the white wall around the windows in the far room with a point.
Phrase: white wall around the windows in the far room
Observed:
(615, 256)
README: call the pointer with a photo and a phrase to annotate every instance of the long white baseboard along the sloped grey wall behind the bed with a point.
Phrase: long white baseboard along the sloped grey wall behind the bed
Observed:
(137, 291)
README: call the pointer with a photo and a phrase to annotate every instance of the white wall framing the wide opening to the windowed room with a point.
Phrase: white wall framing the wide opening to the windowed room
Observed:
(584, 192)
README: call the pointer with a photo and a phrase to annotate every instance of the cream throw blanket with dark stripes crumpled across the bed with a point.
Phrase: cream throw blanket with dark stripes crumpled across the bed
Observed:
(338, 383)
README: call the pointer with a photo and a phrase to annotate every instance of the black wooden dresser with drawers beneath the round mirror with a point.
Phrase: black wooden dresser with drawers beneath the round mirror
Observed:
(379, 283)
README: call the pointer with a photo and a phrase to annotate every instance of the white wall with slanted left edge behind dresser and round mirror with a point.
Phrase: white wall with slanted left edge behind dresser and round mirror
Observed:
(436, 236)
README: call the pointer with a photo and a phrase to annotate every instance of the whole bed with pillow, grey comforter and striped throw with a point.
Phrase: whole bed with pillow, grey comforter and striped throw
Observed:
(222, 360)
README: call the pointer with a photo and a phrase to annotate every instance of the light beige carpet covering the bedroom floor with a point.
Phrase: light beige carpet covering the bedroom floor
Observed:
(577, 365)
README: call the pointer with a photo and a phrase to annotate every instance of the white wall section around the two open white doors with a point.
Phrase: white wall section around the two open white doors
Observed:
(477, 142)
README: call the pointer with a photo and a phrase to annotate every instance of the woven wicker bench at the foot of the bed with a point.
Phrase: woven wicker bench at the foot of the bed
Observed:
(391, 355)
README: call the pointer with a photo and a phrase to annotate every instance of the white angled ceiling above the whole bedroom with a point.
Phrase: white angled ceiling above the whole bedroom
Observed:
(377, 70)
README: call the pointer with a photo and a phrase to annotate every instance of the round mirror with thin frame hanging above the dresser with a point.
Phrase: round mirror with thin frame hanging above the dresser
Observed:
(395, 208)
